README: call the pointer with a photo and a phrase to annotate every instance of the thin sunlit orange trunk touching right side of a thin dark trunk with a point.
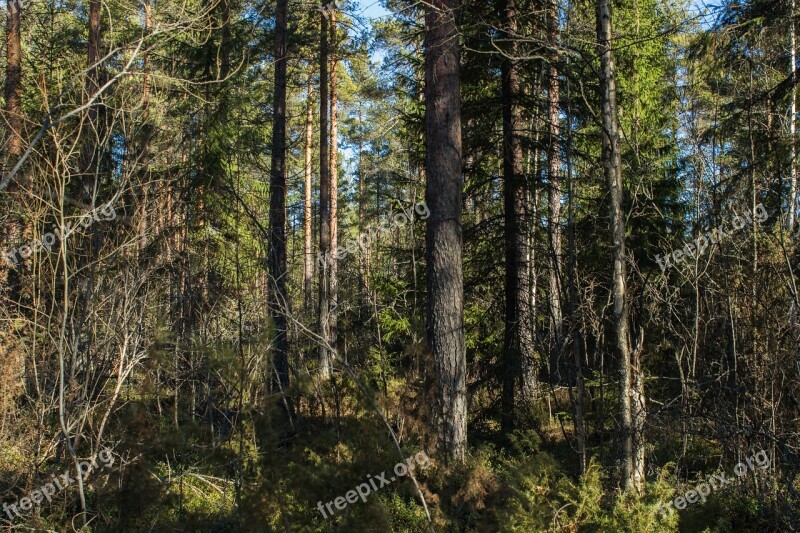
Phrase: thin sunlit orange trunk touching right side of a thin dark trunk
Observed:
(334, 173)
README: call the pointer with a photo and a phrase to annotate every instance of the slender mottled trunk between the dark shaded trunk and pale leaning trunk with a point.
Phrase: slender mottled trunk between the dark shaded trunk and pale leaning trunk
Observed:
(554, 197)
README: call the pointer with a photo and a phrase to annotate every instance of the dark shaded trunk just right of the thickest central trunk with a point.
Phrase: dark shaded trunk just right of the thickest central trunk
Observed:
(518, 343)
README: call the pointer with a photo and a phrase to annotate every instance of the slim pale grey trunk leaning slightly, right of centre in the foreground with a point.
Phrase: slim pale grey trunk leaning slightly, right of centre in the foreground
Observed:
(612, 162)
